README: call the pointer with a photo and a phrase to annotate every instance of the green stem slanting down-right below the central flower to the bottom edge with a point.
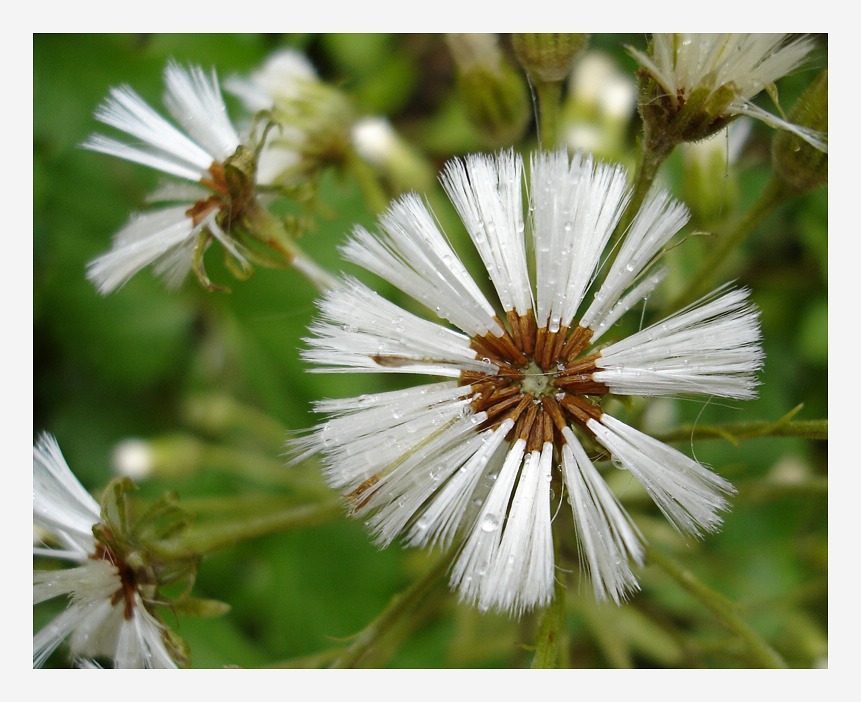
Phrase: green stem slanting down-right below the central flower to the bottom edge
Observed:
(725, 610)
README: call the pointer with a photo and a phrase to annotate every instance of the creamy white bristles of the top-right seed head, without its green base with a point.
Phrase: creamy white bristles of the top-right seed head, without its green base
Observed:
(742, 64)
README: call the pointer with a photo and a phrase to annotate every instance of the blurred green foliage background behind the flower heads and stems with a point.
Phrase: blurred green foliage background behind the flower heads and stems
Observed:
(147, 363)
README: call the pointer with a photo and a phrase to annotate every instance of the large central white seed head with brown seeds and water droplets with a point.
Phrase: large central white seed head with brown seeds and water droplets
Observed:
(473, 457)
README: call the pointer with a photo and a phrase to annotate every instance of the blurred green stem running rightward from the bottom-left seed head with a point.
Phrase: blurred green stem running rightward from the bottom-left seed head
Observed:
(213, 537)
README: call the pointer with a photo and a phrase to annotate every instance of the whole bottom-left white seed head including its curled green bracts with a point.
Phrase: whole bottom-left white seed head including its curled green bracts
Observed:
(112, 585)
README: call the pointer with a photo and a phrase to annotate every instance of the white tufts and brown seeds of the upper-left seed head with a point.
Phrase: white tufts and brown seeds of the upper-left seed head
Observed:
(196, 152)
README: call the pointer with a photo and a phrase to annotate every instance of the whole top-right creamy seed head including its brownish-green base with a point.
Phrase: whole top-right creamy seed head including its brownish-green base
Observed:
(692, 85)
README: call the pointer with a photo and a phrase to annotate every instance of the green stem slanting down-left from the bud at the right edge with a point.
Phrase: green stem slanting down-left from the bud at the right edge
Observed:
(773, 196)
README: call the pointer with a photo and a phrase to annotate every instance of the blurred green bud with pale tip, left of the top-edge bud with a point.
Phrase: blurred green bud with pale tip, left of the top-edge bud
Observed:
(493, 93)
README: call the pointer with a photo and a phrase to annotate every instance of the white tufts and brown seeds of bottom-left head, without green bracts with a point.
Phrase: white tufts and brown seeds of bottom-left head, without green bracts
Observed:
(106, 617)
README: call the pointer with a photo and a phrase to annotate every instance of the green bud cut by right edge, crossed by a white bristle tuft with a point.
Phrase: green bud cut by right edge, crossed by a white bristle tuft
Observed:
(797, 163)
